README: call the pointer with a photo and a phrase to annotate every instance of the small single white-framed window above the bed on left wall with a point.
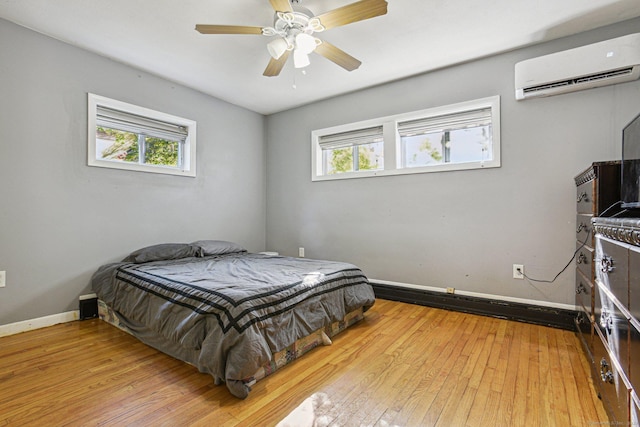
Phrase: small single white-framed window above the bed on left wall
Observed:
(125, 136)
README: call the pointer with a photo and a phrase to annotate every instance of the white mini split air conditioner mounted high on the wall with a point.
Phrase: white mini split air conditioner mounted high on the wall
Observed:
(599, 64)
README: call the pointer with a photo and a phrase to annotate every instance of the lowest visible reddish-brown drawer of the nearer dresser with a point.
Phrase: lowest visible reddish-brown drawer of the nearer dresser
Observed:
(614, 392)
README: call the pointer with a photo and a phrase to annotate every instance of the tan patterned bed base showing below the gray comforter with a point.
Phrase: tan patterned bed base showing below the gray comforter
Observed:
(279, 359)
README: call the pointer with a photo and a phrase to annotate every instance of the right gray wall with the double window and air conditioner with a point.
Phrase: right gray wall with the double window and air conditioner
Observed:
(453, 229)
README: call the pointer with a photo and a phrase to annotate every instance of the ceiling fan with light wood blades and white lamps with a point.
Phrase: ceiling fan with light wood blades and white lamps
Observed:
(294, 26)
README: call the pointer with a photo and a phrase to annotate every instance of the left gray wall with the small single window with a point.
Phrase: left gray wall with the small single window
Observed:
(60, 219)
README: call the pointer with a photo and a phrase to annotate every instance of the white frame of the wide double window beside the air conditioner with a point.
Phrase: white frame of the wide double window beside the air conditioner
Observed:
(393, 146)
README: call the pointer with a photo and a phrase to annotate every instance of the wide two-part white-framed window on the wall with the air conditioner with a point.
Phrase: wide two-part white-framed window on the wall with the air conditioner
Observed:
(453, 137)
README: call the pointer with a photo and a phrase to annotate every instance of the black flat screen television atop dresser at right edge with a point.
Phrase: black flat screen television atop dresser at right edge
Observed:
(630, 185)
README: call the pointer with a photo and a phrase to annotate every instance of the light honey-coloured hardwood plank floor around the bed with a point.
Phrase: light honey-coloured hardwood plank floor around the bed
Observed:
(404, 365)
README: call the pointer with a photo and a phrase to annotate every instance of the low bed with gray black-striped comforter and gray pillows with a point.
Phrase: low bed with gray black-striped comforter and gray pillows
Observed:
(236, 315)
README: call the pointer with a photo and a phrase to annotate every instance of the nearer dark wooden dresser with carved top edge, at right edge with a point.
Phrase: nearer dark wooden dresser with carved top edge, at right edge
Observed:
(616, 338)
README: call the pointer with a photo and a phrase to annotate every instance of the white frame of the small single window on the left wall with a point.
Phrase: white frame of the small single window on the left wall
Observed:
(189, 146)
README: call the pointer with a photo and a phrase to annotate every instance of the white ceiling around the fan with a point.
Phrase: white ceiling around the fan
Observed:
(415, 36)
